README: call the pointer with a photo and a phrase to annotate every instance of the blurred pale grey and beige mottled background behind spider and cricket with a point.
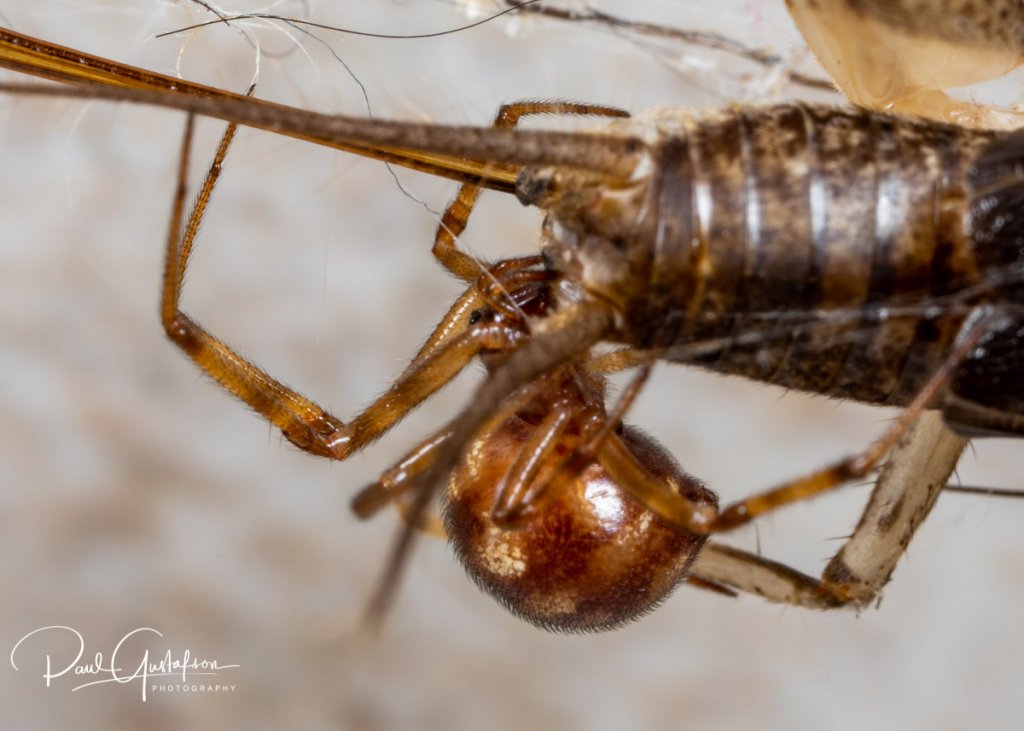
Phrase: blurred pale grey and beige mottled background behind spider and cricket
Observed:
(136, 494)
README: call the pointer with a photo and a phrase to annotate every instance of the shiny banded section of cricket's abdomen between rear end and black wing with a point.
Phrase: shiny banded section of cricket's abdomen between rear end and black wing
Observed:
(836, 246)
